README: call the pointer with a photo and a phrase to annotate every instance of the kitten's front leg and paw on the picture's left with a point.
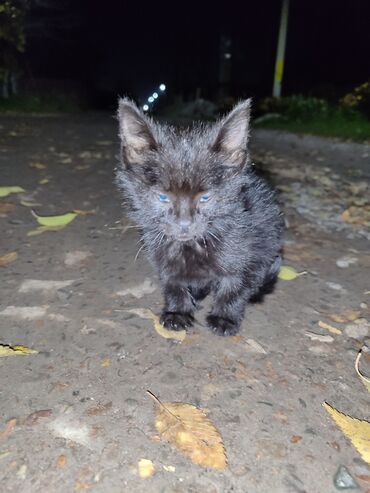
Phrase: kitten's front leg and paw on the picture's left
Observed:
(179, 307)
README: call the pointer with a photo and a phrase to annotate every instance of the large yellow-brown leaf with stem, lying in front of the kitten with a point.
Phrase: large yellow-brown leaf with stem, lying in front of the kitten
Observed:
(190, 431)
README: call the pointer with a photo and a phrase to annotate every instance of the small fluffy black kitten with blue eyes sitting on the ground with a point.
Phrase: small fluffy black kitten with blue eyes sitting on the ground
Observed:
(209, 223)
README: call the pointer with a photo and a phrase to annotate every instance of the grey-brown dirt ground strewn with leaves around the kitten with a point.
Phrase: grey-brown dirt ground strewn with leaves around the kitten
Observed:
(83, 417)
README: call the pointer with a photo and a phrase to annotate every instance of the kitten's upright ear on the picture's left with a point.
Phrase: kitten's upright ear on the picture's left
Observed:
(134, 130)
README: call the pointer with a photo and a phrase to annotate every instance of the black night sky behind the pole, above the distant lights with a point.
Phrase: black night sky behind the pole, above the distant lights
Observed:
(102, 49)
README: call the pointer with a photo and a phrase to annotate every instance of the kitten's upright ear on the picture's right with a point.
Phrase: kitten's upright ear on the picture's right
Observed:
(233, 133)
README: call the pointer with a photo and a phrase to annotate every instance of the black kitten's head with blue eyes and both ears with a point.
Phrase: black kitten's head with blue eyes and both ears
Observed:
(177, 184)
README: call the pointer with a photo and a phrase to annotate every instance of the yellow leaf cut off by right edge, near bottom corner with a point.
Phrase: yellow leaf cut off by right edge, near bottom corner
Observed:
(357, 430)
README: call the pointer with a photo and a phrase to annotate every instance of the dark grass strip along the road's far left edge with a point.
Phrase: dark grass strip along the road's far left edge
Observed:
(40, 104)
